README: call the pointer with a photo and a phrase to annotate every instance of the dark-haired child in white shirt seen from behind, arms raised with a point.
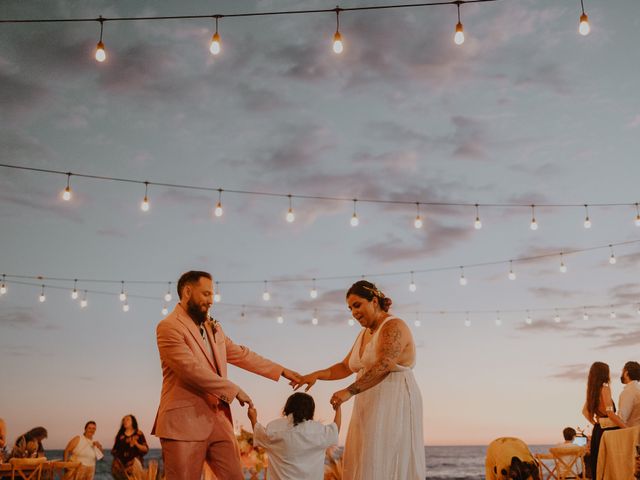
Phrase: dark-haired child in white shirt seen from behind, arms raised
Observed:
(296, 443)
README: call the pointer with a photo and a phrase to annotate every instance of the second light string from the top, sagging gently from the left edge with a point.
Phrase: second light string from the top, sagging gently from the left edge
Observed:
(290, 196)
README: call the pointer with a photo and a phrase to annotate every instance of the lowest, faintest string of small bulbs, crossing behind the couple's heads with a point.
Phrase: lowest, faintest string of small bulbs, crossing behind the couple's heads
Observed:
(586, 311)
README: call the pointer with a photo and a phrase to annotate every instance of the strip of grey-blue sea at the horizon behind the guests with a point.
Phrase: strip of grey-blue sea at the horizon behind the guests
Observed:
(443, 463)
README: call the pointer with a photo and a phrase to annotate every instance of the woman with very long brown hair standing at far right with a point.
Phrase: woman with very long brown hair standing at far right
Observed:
(599, 409)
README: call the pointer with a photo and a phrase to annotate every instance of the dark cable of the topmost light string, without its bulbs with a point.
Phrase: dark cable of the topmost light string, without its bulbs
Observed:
(244, 14)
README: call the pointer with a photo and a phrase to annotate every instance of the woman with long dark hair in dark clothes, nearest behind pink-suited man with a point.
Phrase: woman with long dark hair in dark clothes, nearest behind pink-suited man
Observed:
(128, 450)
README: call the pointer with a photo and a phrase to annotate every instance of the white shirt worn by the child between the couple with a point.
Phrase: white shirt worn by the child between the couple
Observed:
(295, 452)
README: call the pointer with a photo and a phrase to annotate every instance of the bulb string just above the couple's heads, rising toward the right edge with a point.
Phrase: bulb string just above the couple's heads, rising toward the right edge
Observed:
(299, 279)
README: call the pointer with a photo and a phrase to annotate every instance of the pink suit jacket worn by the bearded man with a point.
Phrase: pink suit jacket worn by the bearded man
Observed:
(194, 383)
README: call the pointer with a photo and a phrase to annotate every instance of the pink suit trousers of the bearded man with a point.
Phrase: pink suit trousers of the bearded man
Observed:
(184, 460)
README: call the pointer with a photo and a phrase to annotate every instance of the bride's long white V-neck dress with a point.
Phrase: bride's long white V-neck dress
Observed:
(384, 441)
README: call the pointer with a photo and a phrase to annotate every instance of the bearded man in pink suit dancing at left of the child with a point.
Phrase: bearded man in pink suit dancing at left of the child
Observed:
(194, 418)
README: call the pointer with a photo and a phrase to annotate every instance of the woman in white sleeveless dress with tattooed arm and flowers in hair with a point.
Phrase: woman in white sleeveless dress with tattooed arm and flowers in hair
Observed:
(384, 441)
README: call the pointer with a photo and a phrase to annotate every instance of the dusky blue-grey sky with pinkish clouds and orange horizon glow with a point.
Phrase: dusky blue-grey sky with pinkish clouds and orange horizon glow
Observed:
(526, 111)
